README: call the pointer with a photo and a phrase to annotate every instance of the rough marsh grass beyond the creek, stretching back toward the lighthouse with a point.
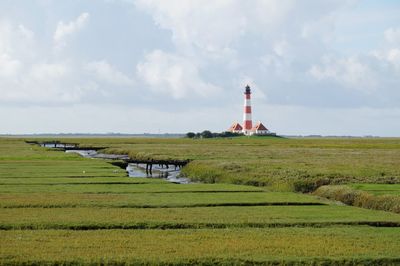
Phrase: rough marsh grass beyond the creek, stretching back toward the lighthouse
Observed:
(303, 164)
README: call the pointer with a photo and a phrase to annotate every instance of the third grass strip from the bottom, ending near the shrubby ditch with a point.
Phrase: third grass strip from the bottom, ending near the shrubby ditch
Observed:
(153, 200)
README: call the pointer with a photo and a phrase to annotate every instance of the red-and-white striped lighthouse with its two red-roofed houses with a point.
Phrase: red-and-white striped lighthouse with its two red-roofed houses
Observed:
(248, 128)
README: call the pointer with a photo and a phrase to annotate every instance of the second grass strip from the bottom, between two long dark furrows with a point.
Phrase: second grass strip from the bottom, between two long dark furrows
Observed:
(201, 217)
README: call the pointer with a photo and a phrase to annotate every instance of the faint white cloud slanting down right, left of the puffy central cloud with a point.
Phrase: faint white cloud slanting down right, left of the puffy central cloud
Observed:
(108, 73)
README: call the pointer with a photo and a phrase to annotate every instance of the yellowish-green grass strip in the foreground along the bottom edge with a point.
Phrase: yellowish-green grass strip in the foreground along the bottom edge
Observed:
(183, 246)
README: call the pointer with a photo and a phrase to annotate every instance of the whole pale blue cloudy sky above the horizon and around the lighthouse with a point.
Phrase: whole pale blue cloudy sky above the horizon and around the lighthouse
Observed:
(316, 67)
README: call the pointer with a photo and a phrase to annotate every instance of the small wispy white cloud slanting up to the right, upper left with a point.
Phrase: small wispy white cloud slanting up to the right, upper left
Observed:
(64, 30)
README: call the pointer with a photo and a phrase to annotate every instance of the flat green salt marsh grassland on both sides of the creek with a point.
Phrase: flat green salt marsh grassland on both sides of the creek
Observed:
(59, 208)
